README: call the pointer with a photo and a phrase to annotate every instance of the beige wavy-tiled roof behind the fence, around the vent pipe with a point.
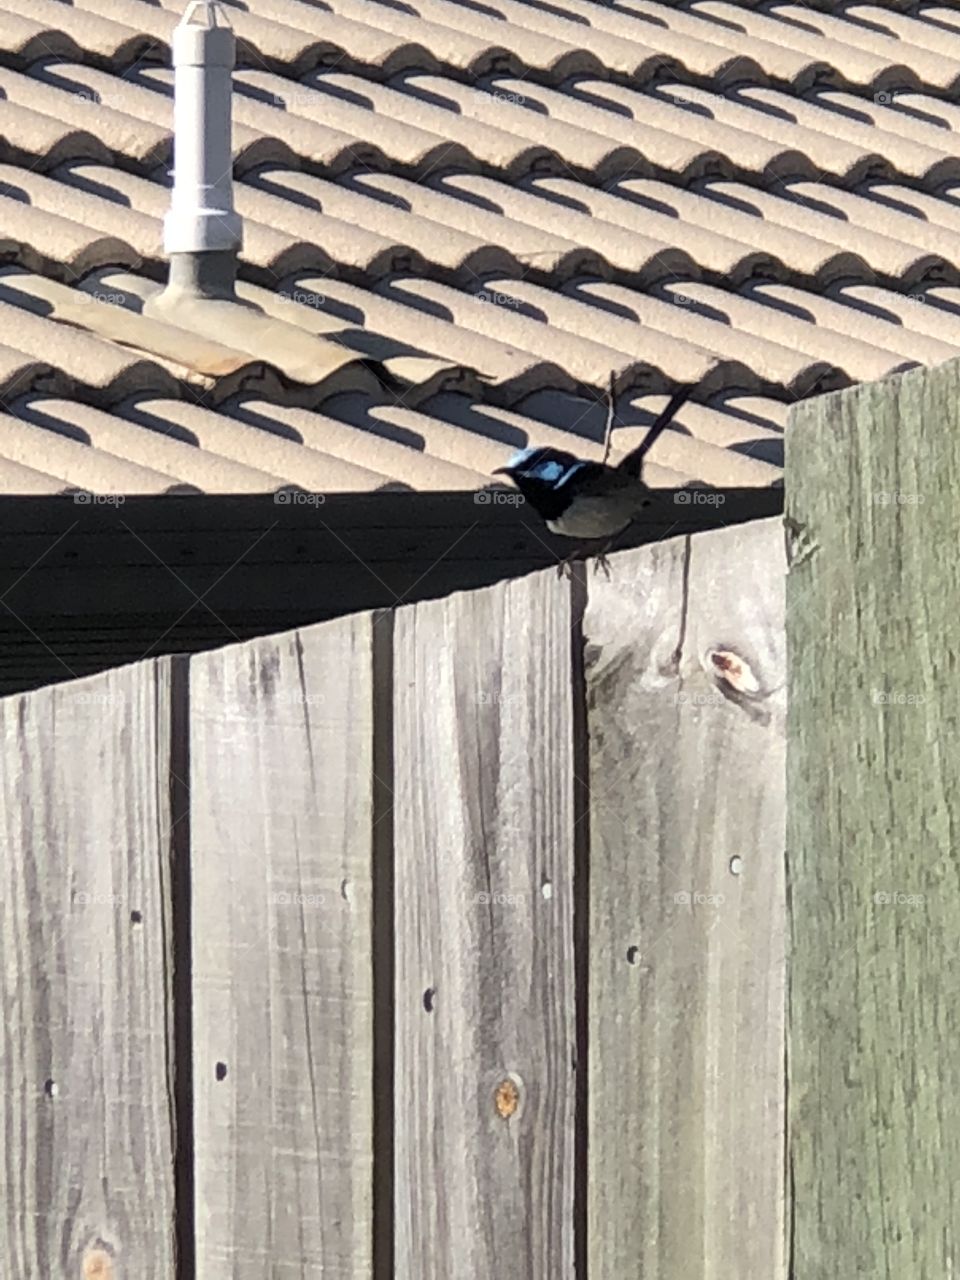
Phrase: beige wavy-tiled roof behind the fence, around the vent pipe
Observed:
(476, 213)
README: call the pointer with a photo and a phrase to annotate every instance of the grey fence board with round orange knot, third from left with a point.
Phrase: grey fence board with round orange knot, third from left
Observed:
(486, 975)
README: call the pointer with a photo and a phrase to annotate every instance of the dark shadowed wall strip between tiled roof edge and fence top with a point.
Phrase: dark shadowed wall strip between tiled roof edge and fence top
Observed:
(90, 583)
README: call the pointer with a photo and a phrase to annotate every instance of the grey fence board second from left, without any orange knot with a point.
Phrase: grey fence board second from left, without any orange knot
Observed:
(282, 954)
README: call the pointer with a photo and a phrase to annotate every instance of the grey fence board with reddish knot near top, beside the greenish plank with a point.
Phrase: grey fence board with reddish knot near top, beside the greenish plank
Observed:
(685, 703)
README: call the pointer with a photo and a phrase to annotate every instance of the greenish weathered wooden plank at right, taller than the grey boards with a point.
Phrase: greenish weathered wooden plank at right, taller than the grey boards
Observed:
(874, 803)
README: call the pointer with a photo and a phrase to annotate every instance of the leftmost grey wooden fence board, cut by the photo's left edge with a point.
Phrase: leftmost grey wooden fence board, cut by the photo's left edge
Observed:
(86, 1124)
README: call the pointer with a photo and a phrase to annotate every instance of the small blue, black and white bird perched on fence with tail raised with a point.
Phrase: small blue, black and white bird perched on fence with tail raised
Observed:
(589, 501)
